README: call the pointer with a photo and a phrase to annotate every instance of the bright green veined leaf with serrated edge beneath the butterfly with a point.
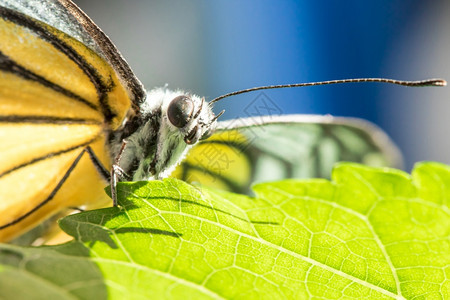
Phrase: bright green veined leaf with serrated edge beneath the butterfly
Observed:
(369, 233)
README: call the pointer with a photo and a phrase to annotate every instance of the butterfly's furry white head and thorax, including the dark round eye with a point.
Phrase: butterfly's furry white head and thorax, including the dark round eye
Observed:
(154, 145)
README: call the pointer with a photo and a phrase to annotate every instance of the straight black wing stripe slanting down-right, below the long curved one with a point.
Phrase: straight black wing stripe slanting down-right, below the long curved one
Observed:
(10, 66)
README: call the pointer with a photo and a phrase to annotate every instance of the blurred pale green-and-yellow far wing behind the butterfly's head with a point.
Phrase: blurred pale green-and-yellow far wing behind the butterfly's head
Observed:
(245, 151)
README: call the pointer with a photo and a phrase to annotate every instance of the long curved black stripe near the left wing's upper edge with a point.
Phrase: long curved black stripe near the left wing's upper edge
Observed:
(101, 87)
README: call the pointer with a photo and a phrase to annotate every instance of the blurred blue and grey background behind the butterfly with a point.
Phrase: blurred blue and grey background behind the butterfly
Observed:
(214, 47)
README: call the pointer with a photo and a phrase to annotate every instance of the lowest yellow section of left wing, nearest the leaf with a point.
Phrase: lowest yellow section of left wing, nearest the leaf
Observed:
(25, 190)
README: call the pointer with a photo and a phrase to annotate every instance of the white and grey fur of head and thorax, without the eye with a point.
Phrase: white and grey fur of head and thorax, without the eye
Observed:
(161, 149)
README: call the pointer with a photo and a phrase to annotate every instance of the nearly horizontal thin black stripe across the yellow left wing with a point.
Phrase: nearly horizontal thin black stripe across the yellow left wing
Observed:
(47, 120)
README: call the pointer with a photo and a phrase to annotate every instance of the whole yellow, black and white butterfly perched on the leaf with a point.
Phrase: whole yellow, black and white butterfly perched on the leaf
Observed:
(73, 116)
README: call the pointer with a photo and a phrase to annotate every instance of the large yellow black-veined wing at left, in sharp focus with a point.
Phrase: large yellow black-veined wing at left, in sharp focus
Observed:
(57, 98)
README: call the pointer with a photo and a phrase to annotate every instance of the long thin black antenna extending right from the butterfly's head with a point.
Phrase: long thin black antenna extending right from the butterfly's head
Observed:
(426, 82)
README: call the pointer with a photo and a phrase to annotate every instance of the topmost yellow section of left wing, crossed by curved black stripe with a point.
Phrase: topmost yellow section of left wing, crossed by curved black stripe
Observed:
(67, 64)
